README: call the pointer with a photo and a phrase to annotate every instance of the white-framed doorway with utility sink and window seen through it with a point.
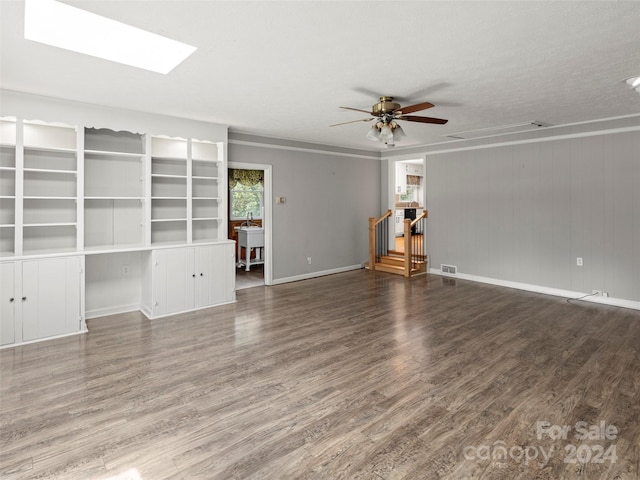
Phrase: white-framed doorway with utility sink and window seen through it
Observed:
(258, 272)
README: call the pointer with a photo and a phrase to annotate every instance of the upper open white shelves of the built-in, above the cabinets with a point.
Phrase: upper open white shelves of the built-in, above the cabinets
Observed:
(70, 189)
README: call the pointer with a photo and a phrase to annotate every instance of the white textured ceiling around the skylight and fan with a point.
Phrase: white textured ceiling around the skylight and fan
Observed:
(282, 69)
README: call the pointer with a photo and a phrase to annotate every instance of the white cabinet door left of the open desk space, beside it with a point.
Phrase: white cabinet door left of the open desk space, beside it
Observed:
(51, 297)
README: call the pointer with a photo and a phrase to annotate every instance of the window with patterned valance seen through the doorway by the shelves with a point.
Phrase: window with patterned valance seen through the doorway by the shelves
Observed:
(246, 193)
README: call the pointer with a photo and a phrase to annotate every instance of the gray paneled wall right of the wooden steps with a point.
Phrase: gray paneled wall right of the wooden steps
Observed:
(525, 212)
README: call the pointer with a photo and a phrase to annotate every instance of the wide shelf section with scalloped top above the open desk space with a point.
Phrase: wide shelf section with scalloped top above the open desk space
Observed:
(114, 195)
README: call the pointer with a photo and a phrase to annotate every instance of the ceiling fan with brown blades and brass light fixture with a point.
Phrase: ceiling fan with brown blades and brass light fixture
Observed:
(386, 113)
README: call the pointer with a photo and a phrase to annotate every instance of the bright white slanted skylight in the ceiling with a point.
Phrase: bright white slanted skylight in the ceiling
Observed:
(60, 25)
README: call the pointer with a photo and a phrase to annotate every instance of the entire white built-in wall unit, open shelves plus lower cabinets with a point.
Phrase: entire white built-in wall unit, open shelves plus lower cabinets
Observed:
(110, 200)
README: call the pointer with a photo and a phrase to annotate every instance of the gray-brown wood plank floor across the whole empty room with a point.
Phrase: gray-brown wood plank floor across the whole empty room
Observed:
(360, 375)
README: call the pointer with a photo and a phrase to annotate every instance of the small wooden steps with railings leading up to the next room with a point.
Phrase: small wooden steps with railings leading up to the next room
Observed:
(412, 260)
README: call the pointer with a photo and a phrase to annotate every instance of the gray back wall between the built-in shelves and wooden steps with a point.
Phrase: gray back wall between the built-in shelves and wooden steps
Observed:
(329, 199)
